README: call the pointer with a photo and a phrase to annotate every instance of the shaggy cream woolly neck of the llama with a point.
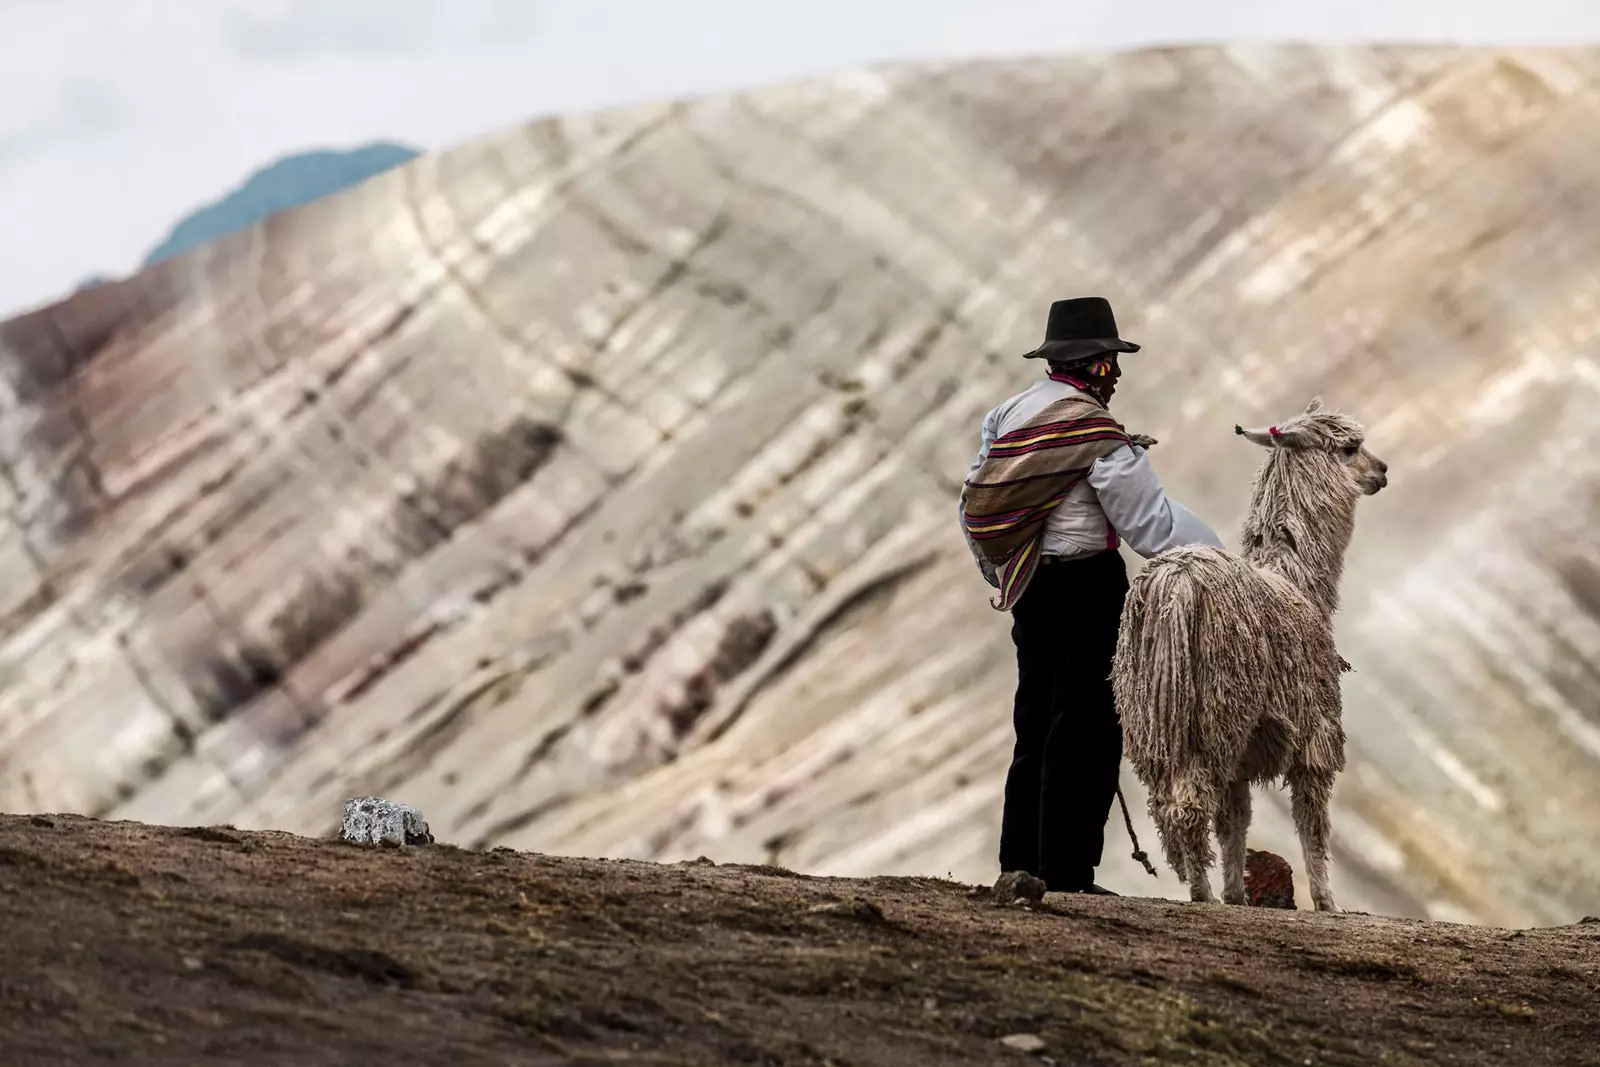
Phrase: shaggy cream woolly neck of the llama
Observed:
(1300, 524)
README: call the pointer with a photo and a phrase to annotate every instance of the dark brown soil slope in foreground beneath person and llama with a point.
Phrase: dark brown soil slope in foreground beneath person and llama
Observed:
(138, 945)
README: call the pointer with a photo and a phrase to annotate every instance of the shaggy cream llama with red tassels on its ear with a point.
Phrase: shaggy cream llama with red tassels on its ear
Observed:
(1226, 671)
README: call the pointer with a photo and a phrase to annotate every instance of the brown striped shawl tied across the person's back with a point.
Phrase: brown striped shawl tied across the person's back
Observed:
(1026, 474)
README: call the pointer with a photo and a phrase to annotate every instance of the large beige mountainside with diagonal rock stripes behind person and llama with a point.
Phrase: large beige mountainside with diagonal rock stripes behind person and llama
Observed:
(591, 486)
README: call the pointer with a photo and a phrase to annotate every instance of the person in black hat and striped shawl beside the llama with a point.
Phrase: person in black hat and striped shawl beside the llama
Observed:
(1057, 487)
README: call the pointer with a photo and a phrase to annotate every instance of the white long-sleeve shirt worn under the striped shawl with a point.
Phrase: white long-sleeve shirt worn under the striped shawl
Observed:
(1121, 494)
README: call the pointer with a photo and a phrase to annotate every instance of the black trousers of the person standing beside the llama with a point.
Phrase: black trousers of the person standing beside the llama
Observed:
(1068, 754)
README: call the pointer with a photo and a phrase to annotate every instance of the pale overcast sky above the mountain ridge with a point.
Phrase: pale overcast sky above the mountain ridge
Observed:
(121, 116)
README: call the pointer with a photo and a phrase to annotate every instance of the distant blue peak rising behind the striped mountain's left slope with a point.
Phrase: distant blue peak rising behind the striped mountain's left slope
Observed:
(292, 182)
